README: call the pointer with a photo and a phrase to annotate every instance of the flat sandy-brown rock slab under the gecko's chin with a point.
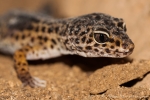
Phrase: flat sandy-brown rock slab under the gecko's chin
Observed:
(115, 75)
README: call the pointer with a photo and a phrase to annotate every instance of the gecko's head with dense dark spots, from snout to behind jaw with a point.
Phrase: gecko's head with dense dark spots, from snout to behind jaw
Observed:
(100, 35)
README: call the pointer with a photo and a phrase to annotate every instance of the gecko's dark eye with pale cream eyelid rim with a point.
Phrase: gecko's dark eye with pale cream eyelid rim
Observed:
(101, 37)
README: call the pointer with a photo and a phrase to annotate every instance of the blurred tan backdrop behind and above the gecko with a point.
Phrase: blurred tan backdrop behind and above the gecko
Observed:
(136, 14)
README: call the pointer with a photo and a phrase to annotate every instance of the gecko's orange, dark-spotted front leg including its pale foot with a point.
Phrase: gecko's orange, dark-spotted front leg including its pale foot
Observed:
(22, 69)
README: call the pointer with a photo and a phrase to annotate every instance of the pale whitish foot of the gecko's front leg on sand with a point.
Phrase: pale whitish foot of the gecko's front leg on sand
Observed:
(34, 82)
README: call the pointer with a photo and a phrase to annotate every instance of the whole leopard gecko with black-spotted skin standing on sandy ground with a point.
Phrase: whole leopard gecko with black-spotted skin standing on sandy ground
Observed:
(31, 36)
